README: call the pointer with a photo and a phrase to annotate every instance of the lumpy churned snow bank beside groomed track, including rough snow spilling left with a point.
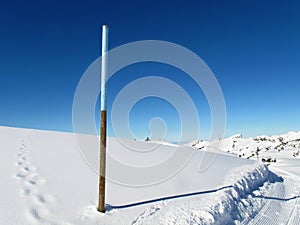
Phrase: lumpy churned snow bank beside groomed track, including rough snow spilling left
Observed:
(220, 206)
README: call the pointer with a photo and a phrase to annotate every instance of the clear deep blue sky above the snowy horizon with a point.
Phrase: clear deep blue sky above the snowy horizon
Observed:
(252, 47)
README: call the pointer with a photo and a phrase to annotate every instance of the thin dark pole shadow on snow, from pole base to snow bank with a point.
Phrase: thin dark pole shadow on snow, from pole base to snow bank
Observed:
(165, 198)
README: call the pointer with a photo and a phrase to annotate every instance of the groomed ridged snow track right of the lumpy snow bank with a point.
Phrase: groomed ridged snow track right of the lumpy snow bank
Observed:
(279, 200)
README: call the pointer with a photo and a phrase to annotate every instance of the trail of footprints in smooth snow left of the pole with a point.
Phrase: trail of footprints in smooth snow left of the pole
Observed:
(38, 204)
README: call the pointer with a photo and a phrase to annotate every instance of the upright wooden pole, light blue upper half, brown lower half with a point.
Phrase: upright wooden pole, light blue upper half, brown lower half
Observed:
(101, 197)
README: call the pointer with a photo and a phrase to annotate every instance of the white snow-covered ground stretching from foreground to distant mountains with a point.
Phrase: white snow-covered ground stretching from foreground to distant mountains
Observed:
(44, 180)
